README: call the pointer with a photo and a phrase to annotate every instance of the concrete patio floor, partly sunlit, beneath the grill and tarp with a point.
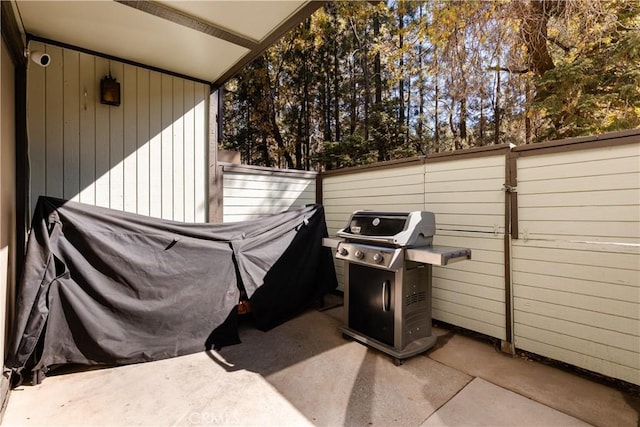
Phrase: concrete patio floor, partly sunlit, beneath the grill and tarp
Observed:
(305, 373)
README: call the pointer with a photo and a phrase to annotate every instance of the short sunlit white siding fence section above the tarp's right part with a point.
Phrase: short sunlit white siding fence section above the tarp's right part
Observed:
(251, 192)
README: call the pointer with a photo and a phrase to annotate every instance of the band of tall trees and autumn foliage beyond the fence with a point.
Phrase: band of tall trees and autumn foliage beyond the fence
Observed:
(361, 82)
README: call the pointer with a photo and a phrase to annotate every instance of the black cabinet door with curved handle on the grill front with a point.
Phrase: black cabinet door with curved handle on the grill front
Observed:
(371, 296)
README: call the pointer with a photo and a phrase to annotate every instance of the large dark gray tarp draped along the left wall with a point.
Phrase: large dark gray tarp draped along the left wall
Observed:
(107, 287)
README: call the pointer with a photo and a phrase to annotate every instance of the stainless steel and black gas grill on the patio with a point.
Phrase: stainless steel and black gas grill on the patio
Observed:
(387, 289)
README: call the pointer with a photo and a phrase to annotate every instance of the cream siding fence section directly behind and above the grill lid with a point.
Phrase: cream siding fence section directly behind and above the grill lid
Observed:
(395, 189)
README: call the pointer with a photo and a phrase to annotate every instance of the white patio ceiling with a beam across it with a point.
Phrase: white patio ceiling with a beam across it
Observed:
(206, 40)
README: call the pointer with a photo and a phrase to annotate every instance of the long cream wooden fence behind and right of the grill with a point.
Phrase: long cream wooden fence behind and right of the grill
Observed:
(567, 285)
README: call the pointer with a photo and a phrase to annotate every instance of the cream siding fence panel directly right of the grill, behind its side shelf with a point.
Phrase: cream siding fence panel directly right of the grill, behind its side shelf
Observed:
(467, 197)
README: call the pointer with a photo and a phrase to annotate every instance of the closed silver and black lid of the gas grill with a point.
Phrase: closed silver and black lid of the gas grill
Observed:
(391, 228)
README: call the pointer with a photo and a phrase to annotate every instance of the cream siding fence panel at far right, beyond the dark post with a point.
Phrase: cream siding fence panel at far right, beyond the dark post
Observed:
(576, 266)
